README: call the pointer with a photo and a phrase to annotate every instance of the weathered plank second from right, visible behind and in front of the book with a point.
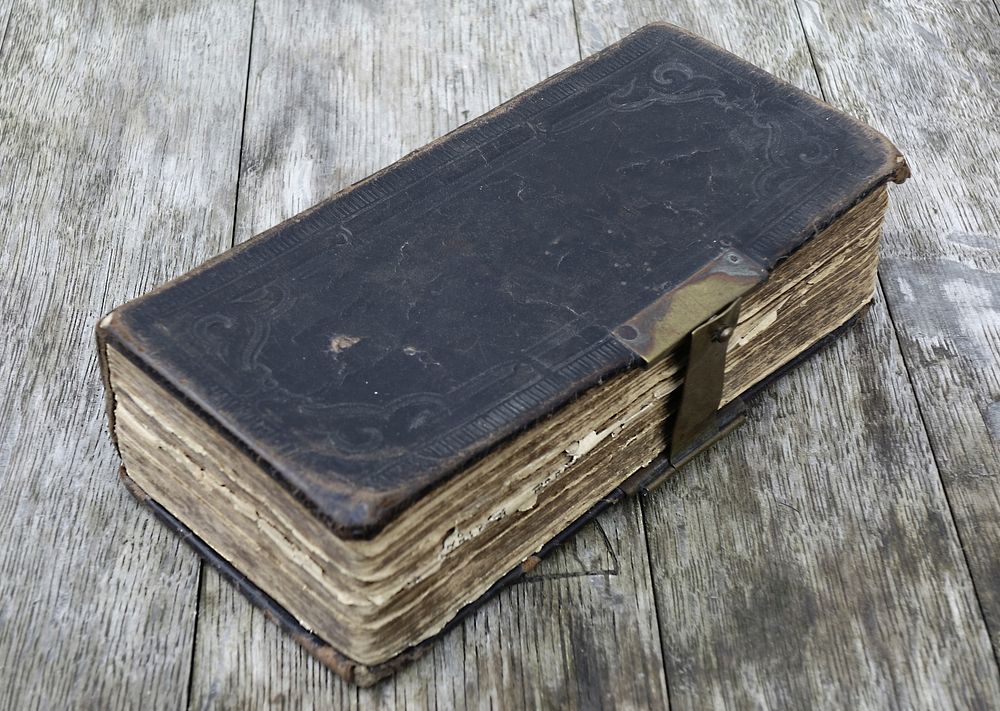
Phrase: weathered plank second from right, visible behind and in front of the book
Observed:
(812, 558)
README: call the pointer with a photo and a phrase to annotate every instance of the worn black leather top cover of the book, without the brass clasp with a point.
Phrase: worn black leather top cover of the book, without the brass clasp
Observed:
(376, 344)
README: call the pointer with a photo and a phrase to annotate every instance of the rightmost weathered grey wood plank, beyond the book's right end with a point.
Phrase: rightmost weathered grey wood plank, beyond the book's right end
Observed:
(927, 73)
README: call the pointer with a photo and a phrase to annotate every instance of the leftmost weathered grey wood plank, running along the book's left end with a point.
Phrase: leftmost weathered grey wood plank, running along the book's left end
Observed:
(120, 128)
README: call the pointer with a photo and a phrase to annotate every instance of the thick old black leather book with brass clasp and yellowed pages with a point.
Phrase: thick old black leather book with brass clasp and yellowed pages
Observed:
(375, 413)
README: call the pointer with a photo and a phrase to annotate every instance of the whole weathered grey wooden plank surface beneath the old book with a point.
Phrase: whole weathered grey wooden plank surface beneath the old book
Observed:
(842, 549)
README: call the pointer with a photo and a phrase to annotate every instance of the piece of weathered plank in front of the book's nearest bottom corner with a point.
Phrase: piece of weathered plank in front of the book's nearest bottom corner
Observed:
(578, 633)
